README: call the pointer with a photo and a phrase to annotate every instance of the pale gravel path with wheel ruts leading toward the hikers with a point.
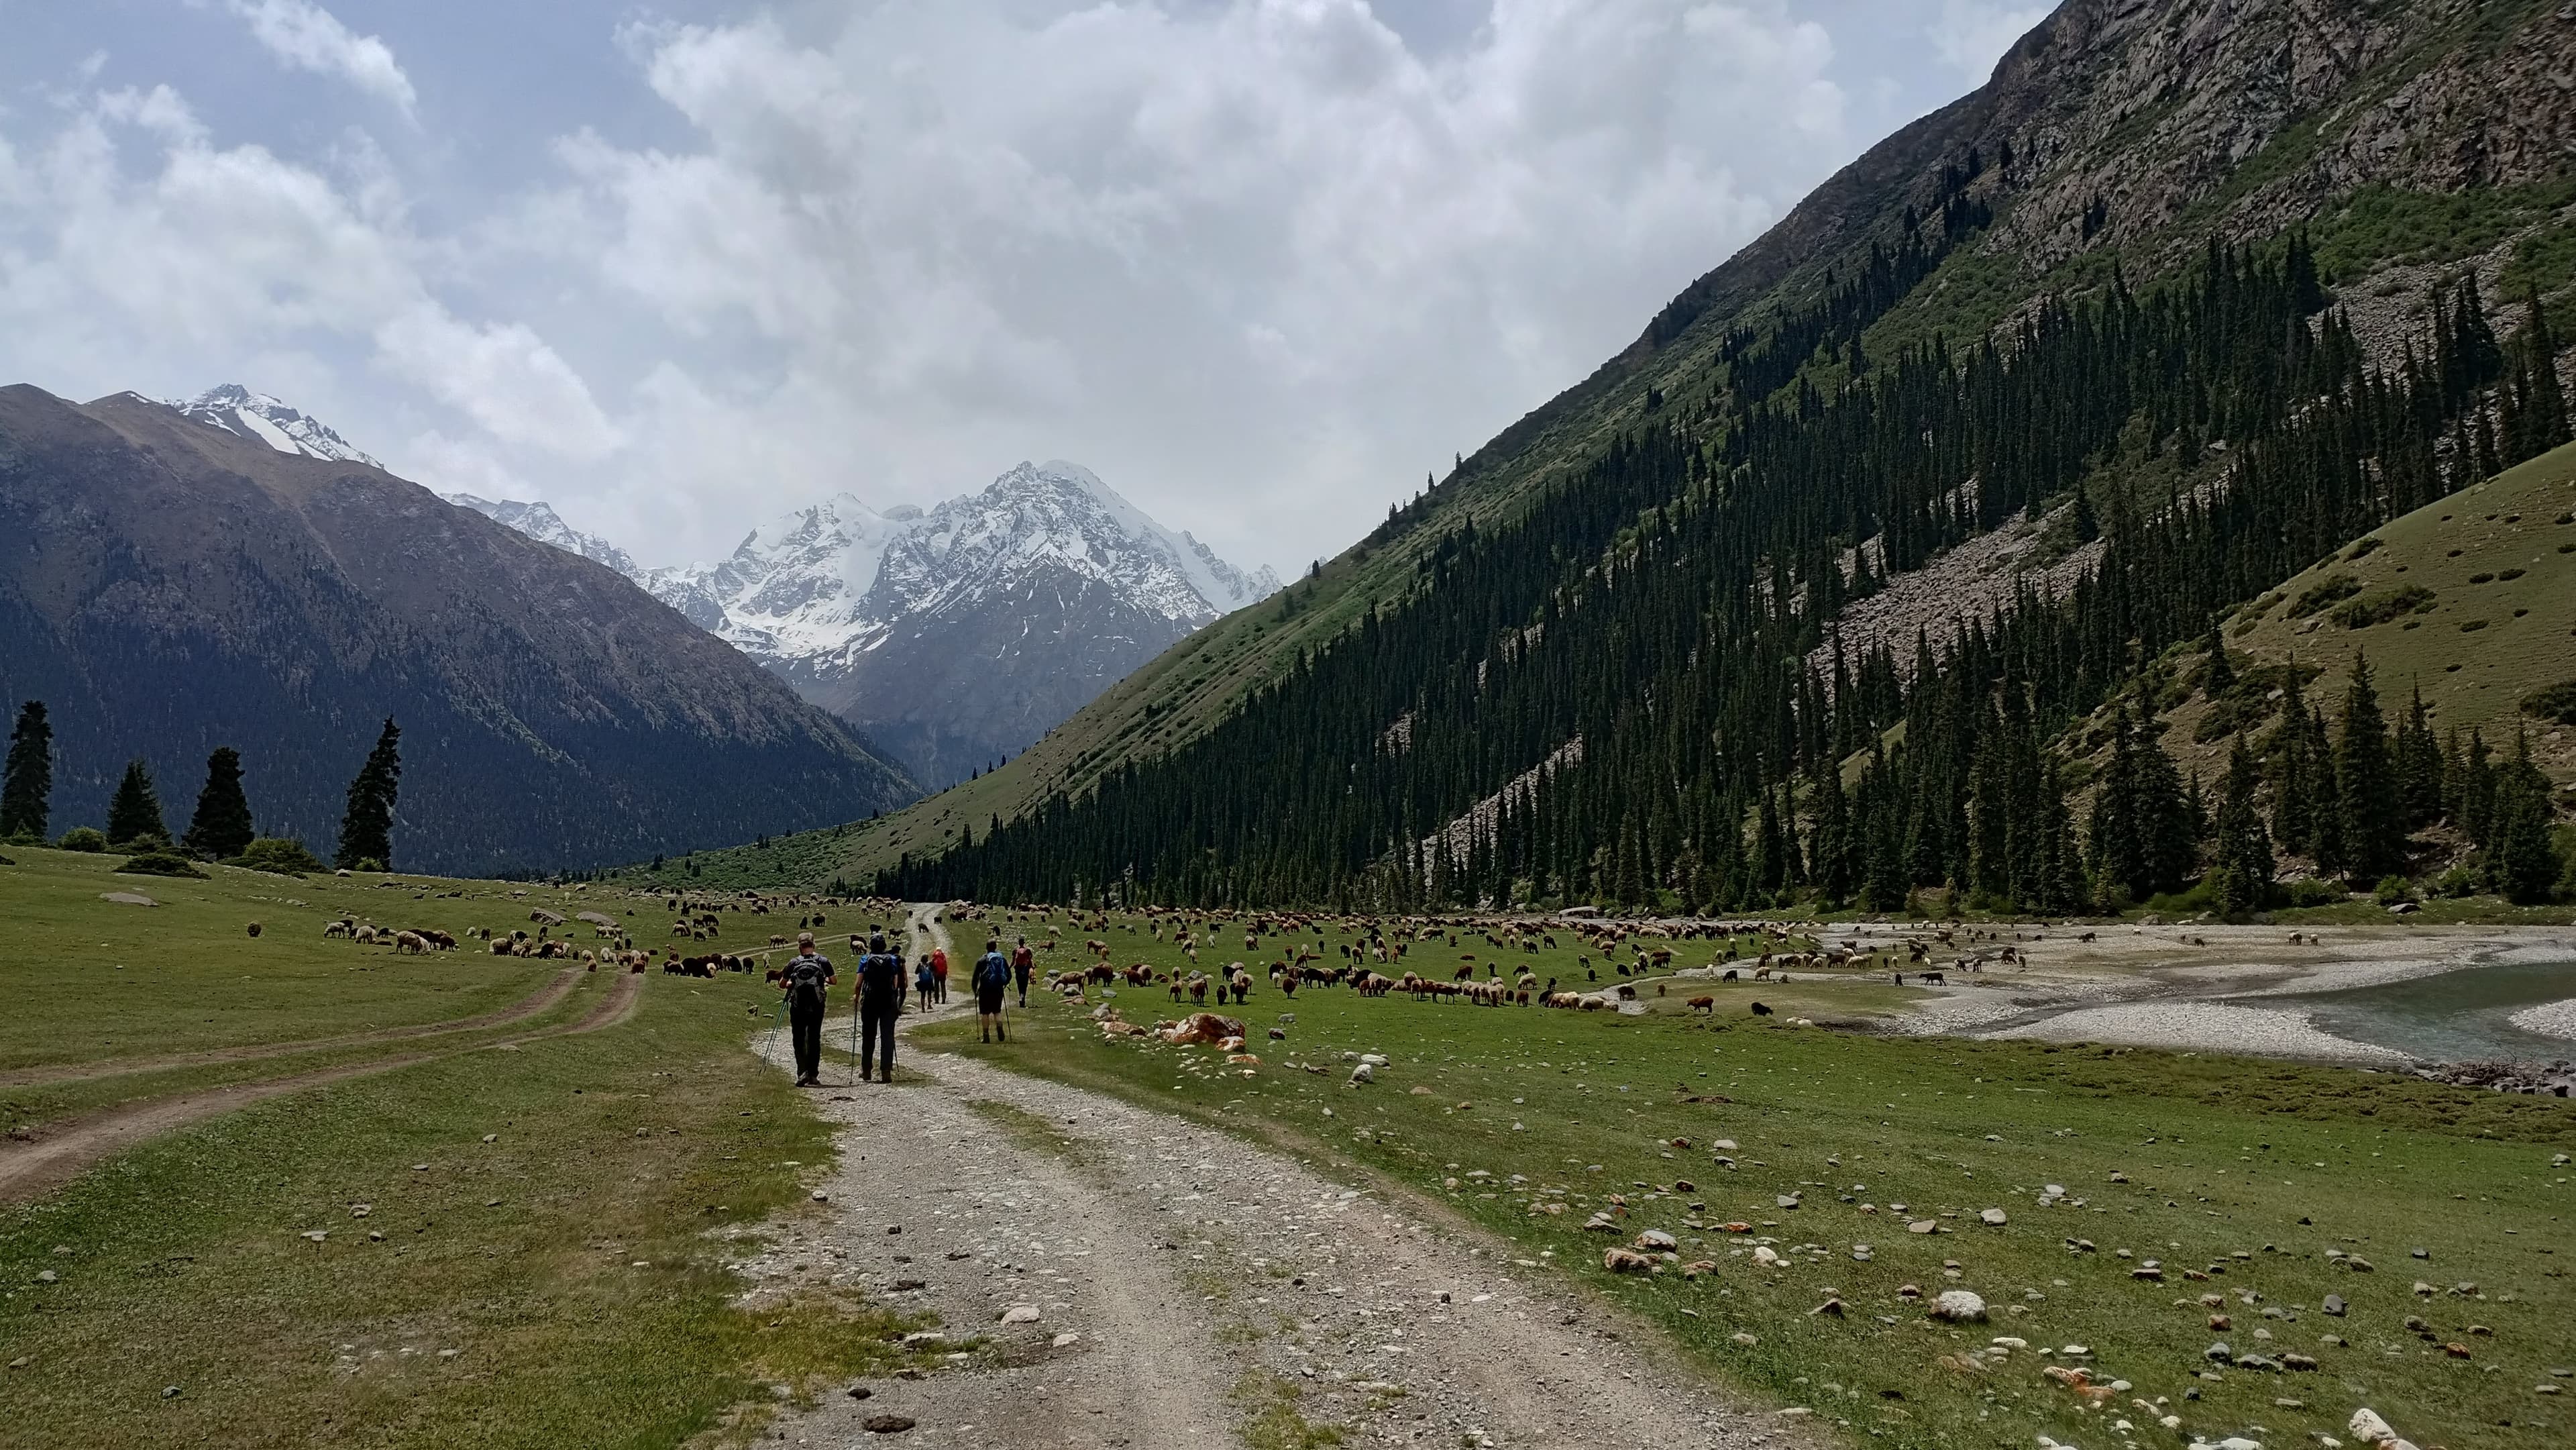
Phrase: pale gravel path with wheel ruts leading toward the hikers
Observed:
(1173, 1284)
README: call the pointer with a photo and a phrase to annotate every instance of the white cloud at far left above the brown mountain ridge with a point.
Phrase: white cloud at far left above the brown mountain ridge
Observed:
(120, 254)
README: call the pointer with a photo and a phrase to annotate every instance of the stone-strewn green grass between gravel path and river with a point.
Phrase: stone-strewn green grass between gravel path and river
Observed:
(2235, 1176)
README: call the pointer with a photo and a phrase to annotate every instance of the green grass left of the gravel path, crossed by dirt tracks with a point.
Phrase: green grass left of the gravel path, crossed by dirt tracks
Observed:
(519, 1245)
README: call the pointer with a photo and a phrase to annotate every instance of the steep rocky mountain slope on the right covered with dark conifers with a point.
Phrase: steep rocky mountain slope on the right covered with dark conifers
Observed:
(2070, 305)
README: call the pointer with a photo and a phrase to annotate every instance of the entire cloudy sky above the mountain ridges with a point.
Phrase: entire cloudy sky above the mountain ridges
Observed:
(679, 267)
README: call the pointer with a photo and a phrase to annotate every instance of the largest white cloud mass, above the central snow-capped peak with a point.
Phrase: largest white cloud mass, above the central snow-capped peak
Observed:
(1261, 264)
